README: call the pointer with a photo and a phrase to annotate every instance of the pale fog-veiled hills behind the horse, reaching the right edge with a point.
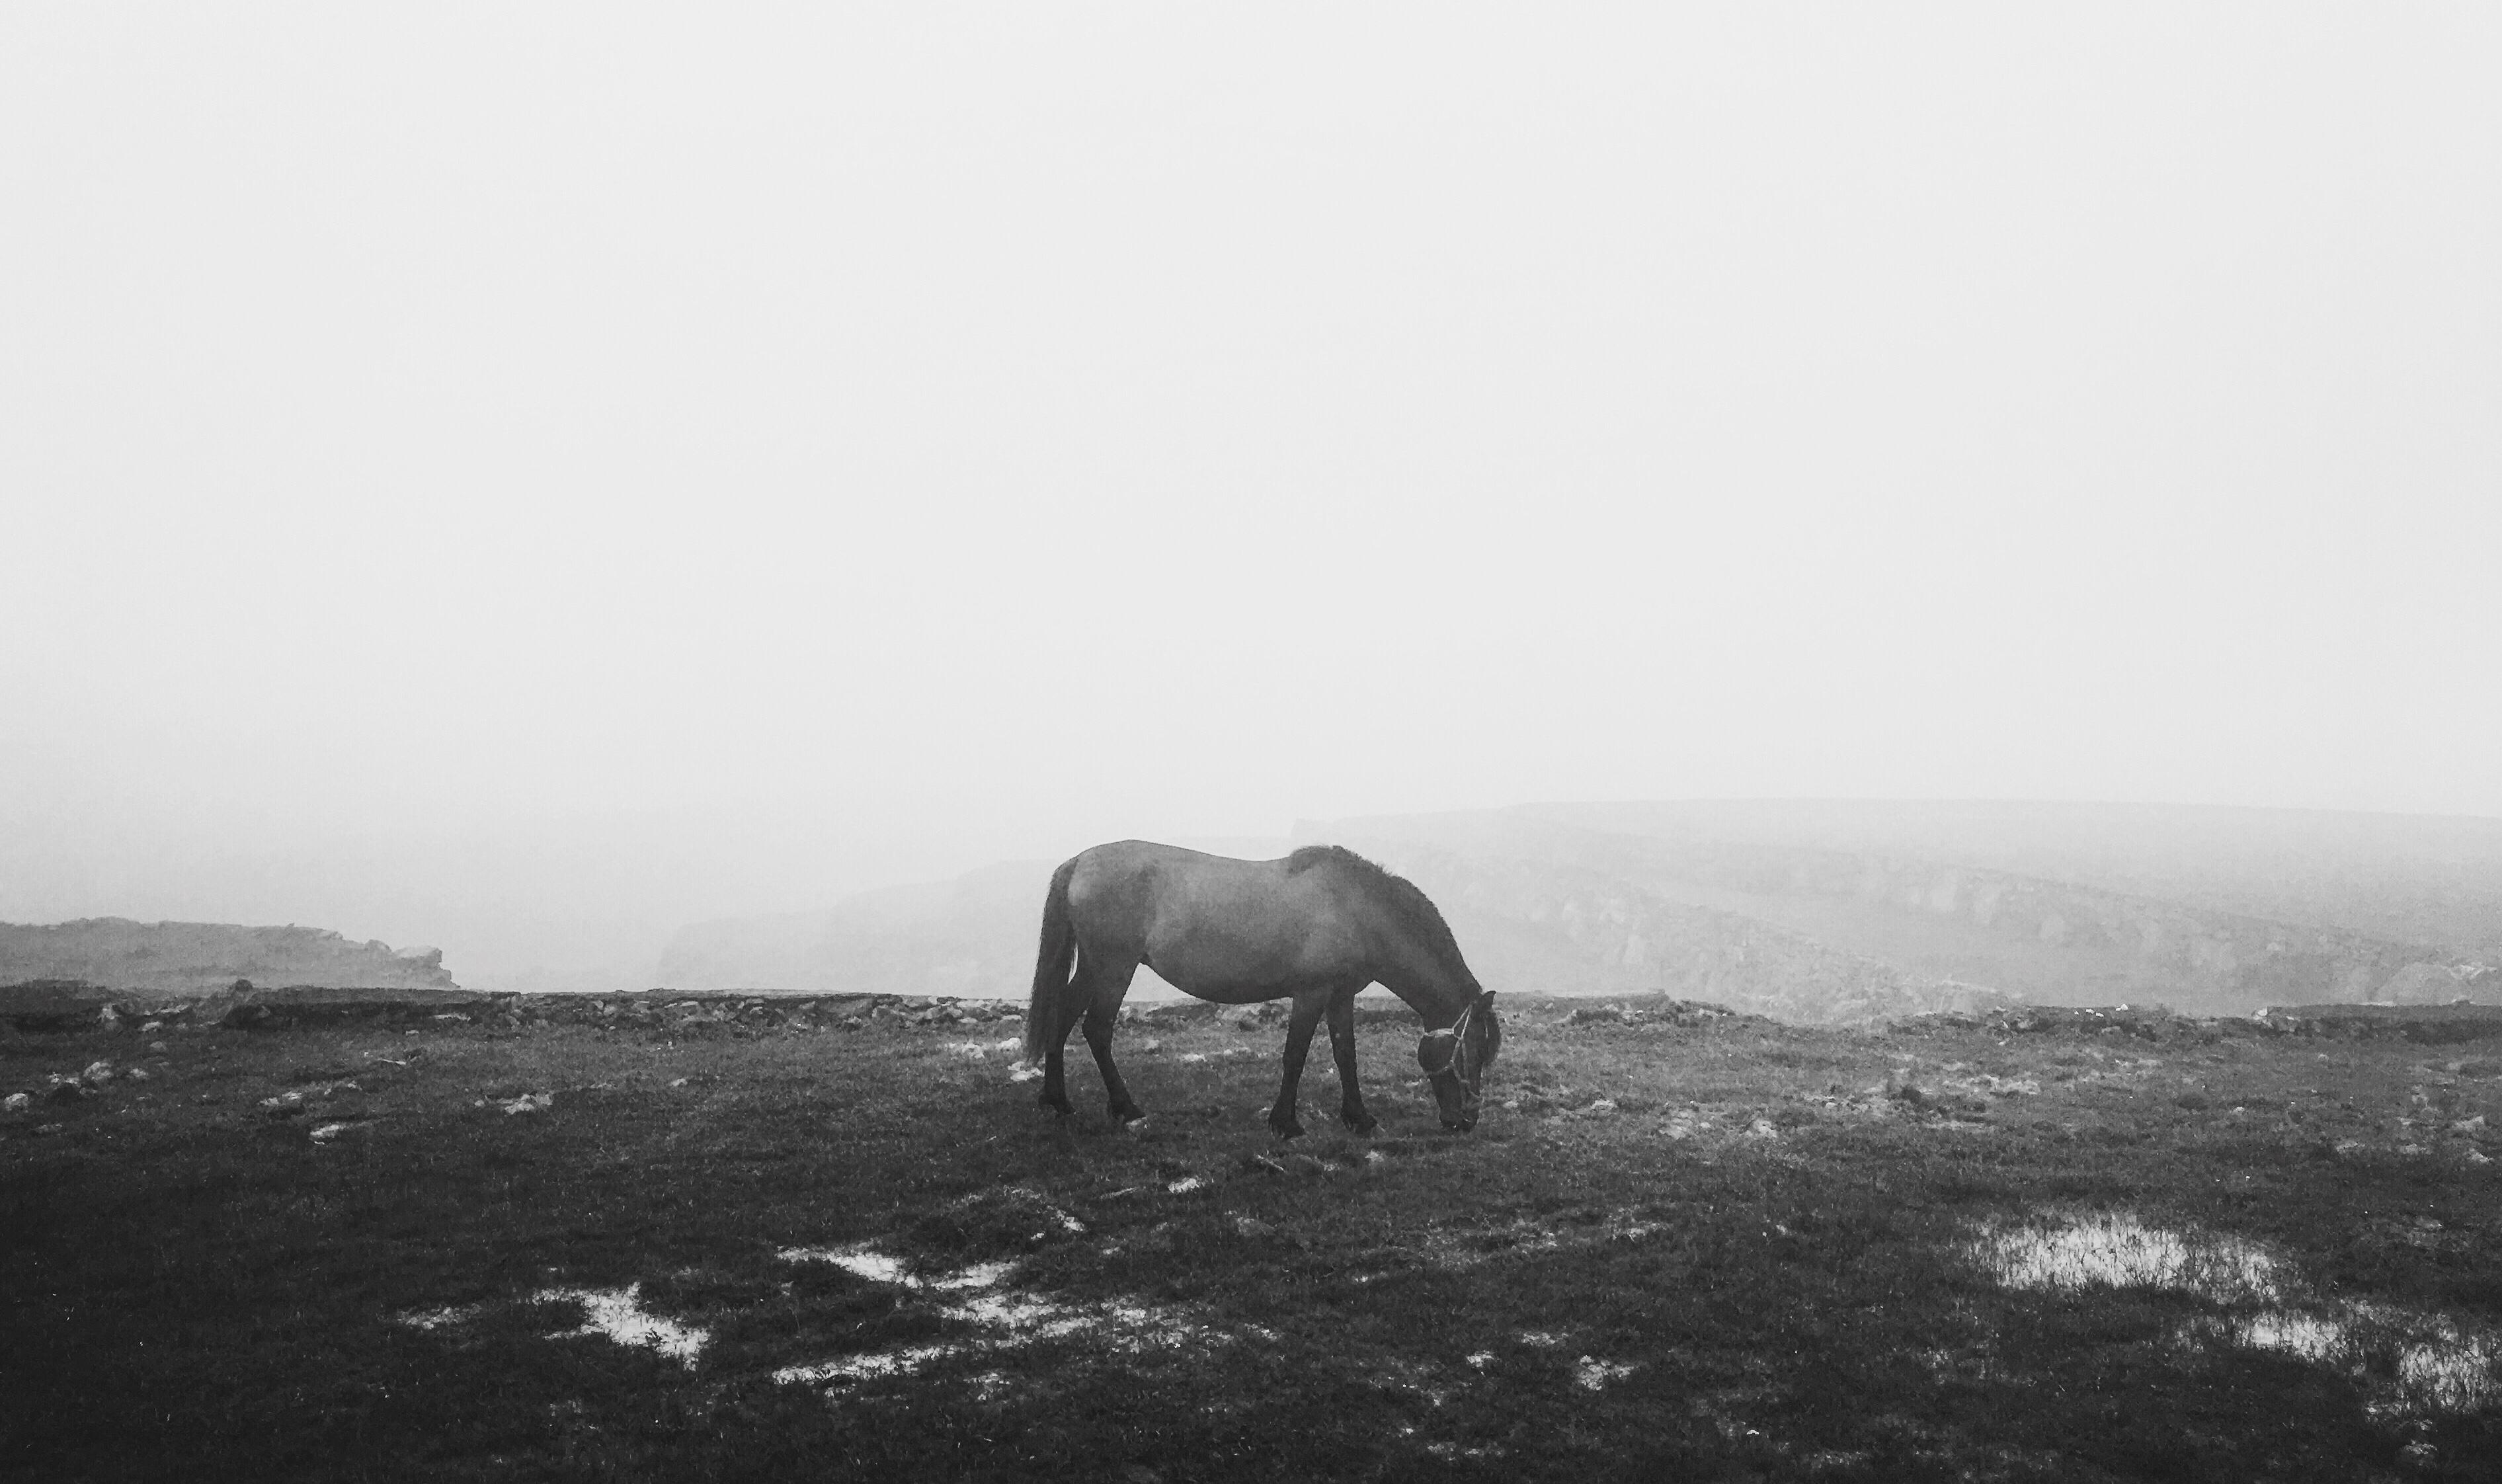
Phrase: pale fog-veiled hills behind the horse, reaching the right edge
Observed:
(1803, 910)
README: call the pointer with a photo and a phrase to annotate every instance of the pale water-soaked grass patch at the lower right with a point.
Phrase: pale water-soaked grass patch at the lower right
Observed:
(2406, 1360)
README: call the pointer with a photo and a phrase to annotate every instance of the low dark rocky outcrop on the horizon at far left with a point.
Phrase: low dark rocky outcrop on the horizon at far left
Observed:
(191, 960)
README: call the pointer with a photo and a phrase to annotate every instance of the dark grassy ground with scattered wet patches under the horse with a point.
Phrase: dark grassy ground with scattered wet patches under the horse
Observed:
(1673, 1250)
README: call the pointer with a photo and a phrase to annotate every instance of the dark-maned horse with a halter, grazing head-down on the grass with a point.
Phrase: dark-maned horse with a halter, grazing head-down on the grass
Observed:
(1317, 927)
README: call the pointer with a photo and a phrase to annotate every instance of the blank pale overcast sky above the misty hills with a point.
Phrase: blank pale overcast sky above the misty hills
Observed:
(529, 477)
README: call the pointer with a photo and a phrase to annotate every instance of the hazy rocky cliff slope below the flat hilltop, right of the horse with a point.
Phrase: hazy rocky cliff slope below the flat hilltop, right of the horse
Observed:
(1865, 930)
